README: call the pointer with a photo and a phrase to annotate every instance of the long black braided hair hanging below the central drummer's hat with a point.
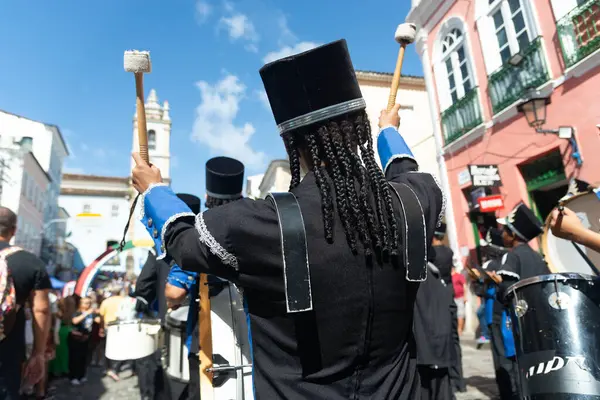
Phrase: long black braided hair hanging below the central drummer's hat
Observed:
(340, 153)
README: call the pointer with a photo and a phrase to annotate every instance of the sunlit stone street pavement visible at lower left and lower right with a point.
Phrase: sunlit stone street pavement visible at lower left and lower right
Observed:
(477, 367)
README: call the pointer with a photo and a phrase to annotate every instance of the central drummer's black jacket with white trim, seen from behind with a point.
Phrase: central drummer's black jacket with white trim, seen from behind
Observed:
(358, 342)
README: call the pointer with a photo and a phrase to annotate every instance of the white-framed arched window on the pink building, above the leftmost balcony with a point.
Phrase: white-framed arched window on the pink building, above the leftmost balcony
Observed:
(455, 61)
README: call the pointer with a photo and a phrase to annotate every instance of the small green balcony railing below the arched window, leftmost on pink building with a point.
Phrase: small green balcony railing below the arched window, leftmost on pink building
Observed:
(462, 116)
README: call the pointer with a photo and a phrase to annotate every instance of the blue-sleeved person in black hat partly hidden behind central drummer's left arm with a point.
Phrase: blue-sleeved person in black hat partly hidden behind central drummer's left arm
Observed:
(224, 182)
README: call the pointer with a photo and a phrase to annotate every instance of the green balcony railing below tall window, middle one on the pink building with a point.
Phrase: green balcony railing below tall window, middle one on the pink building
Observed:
(509, 83)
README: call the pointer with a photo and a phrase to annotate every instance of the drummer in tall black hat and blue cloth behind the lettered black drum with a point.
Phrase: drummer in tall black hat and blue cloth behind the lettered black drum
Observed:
(520, 262)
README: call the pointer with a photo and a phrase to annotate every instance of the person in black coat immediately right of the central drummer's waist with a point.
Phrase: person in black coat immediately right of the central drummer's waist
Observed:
(433, 333)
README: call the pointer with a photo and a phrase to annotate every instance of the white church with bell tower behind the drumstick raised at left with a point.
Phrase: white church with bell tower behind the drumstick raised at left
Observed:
(100, 205)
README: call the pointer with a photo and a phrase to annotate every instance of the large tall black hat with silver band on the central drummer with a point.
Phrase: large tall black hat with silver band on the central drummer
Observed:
(312, 87)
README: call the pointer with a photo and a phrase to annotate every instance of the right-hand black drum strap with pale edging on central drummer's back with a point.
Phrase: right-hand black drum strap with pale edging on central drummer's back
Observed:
(412, 233)
